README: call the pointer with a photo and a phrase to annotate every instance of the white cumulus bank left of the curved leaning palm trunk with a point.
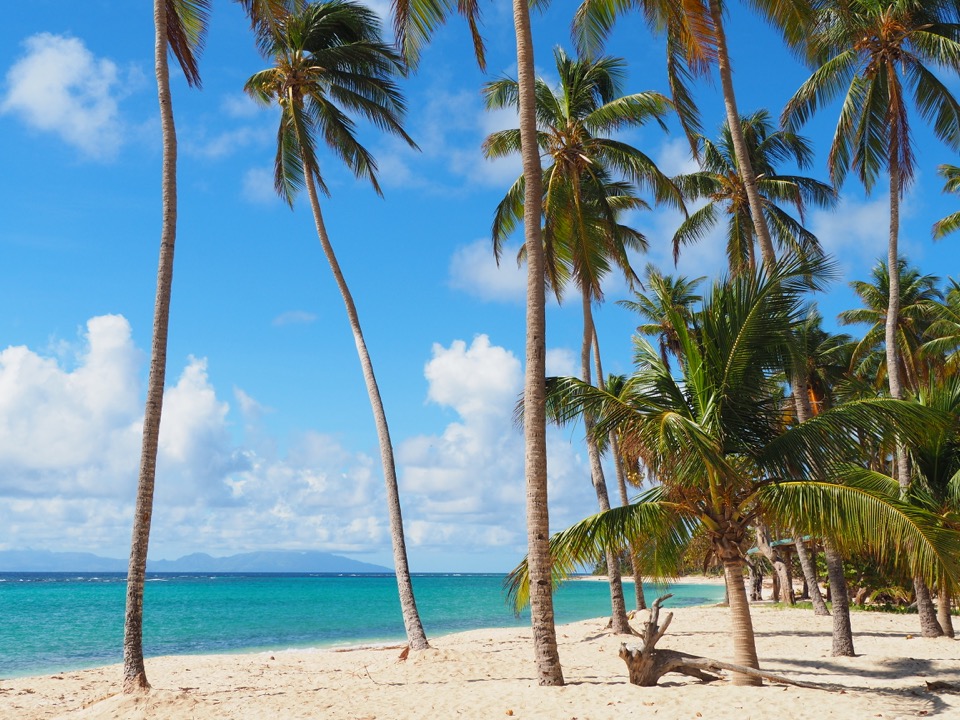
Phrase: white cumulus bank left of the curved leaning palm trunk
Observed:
(69, 452)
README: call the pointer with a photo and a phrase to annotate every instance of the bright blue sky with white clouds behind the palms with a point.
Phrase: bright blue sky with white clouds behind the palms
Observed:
(267, 440)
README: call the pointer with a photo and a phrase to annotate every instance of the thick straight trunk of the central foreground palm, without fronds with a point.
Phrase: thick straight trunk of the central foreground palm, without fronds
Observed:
(549, 671)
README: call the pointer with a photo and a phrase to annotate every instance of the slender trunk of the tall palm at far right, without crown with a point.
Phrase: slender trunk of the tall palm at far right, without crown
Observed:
(929, 626)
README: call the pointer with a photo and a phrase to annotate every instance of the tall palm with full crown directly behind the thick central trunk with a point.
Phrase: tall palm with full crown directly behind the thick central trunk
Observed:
(583, 240)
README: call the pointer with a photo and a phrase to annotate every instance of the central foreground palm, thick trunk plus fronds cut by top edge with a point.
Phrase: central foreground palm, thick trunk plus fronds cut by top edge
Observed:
(414, 21)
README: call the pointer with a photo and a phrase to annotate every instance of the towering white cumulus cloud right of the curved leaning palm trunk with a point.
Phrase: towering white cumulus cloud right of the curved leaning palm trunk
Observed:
(468, 482)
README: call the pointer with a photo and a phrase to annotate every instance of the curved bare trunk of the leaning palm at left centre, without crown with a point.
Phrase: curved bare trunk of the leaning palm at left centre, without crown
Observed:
(411, 618)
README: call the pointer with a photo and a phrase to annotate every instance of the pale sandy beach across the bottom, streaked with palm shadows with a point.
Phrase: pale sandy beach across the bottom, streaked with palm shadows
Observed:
(489, 674)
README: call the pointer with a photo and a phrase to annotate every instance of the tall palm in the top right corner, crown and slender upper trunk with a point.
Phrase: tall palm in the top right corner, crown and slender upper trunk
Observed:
(873, 52)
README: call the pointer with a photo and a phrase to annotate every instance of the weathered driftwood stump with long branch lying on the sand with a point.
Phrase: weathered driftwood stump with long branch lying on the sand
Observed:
(646, 664)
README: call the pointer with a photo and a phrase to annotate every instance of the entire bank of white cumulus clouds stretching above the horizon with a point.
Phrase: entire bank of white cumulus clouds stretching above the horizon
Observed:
(70, 443)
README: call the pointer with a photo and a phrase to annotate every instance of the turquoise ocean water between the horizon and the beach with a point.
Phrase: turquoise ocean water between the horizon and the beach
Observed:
(54, 622)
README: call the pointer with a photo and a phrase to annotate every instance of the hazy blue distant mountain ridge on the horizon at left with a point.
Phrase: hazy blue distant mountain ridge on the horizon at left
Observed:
(285, 561)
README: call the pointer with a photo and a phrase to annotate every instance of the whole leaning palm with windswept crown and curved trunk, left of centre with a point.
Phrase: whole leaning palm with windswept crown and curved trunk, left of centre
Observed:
(328, 57)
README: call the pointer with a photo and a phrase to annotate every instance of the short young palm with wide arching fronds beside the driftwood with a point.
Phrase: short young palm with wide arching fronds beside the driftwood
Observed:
(716, 440)
